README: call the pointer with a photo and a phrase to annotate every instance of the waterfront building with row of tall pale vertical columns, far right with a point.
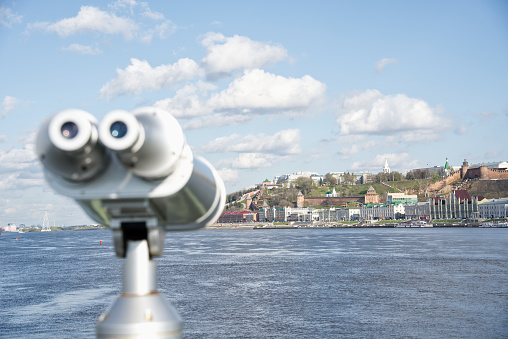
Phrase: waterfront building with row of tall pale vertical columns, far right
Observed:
(458, 205)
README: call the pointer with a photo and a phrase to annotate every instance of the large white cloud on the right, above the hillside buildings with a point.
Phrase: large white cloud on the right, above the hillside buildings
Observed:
(372, 112)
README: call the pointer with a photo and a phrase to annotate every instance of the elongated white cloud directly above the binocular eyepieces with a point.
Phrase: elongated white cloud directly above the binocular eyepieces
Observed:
(139, 76)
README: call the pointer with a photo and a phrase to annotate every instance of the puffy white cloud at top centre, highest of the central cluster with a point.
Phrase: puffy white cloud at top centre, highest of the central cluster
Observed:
(227, 54)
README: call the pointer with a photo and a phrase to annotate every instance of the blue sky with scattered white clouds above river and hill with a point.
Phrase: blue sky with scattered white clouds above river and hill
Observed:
(261, 88)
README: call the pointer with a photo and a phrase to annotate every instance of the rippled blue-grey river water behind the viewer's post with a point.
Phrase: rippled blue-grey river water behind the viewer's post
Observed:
(306, 283)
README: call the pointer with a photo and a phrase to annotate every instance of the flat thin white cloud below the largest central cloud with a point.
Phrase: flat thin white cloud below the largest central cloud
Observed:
(282, 143)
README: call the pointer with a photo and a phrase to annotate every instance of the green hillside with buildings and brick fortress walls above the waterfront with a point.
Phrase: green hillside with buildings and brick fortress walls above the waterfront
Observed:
(487, 180)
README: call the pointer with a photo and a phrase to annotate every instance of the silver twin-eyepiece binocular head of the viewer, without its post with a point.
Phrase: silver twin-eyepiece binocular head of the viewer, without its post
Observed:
(131, 166)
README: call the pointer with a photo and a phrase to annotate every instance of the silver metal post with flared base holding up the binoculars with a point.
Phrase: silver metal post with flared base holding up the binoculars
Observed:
(140, 311)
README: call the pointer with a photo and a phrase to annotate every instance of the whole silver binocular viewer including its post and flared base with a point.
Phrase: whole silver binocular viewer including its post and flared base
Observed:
(134, 173)
